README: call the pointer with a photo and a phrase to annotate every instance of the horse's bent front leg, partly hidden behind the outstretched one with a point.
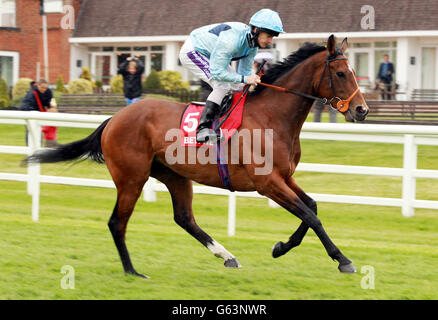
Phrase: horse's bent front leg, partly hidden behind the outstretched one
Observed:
(281, 248)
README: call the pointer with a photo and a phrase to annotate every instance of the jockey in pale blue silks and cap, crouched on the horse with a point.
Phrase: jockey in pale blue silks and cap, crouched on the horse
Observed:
(209, 50)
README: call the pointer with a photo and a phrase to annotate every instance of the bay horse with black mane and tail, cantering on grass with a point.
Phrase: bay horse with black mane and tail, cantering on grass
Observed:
(132, 144)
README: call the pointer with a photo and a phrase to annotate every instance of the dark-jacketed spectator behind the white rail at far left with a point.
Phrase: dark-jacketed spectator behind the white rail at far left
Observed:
(40, 98)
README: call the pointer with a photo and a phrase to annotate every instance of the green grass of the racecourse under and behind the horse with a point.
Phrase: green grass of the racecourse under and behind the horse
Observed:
(73, 231)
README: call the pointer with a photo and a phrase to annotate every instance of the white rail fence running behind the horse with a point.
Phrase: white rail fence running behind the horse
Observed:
(409, 136)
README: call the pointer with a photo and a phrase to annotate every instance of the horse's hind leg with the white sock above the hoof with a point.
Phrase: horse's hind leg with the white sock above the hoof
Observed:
(181, 191)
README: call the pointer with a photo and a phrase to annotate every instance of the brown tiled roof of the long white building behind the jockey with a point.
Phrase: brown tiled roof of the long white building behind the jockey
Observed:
(128, 18)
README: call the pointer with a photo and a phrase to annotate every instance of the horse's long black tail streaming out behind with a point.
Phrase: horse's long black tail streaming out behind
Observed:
(88, 148)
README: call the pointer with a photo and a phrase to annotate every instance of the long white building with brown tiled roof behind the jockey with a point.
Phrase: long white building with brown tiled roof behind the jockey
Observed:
(106, 32)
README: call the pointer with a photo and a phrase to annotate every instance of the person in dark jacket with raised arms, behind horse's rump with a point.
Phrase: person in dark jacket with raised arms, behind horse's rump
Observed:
(131, 70)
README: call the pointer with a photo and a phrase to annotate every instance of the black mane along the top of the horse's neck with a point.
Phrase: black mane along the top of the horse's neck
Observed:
(277, 70)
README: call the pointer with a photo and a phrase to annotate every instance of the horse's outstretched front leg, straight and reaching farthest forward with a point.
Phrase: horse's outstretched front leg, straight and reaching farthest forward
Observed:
(279, 191)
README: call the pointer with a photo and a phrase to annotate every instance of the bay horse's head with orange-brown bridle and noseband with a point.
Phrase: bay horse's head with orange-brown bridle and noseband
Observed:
(336, 81)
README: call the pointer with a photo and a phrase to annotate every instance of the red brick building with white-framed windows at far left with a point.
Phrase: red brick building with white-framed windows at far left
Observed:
(21, 39)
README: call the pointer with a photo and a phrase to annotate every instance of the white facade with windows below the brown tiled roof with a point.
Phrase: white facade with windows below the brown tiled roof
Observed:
(414, 54)
